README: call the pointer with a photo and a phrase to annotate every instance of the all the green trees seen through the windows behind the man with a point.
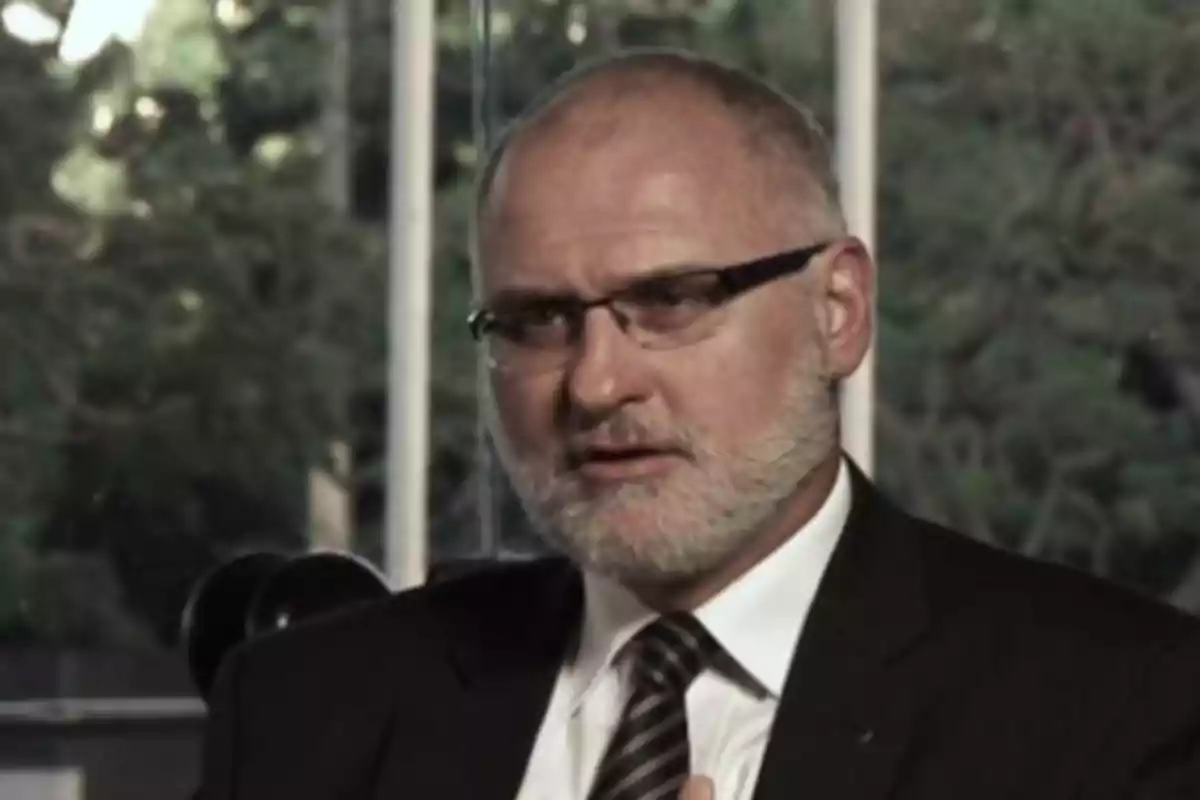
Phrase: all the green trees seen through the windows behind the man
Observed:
(185, 326)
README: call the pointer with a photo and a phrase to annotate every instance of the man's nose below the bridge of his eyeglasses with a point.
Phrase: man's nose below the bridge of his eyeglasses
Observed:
(608, 369)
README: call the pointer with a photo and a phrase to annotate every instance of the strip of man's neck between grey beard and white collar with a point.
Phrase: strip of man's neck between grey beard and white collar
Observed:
(795, 514)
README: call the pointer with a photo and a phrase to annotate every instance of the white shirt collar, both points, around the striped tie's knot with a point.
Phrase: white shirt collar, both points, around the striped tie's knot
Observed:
(758, 619)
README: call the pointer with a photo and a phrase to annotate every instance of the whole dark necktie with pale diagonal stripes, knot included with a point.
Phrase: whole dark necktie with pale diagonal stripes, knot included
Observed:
(649, 756)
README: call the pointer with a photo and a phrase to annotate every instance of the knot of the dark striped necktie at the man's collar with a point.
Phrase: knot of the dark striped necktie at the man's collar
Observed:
(671, 652)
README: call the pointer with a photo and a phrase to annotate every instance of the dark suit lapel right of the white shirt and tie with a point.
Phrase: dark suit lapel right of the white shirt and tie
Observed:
(851, 699)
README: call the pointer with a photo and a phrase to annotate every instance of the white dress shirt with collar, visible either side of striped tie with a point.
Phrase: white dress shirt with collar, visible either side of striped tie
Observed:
(758, 621)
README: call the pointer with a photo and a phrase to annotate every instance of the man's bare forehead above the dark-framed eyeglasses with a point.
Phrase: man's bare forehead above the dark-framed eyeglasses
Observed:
(635, 187)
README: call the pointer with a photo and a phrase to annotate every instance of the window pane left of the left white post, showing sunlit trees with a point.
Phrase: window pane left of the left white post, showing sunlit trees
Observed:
(193, 350)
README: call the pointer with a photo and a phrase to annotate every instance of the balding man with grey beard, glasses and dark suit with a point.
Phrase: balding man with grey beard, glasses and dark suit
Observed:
(669, 300)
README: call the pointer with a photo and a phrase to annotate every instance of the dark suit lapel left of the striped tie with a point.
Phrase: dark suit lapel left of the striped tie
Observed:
(502, 665)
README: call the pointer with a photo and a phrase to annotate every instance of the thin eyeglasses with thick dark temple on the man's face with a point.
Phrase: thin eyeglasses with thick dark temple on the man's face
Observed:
(531, 333)
